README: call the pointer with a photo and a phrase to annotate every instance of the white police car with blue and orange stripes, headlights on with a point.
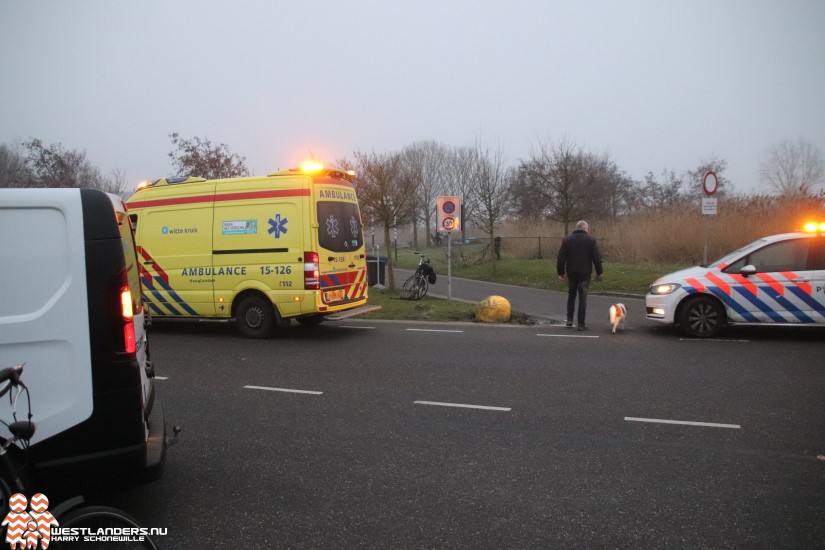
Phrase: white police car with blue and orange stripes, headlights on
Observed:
(778, 280)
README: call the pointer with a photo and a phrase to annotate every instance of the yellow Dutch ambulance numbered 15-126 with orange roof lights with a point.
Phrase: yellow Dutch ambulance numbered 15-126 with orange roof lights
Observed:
(261, 250)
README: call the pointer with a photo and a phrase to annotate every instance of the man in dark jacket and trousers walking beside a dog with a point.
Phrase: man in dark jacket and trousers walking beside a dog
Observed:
(578, 254)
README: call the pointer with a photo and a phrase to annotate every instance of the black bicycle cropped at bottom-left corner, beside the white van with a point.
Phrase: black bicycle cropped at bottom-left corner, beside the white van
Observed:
(32, 528)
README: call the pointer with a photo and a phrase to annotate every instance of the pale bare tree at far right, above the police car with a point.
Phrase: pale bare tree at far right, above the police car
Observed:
(793, 168)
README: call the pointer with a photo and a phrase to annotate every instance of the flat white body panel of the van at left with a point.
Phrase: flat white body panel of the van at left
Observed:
(43, 303)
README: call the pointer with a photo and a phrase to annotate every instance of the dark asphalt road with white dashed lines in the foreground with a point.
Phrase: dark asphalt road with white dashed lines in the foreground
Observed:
(362, 434)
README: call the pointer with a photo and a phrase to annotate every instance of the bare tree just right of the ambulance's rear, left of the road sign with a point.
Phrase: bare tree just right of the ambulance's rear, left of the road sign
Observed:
(386, 194)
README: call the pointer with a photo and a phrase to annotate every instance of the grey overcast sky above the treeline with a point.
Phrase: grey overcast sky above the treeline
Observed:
(655, 84)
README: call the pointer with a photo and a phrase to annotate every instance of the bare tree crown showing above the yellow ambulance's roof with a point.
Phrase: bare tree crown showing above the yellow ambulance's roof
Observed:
(198, 157)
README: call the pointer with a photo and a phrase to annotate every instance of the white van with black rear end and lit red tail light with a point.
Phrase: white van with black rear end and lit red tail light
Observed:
(71, 309)
